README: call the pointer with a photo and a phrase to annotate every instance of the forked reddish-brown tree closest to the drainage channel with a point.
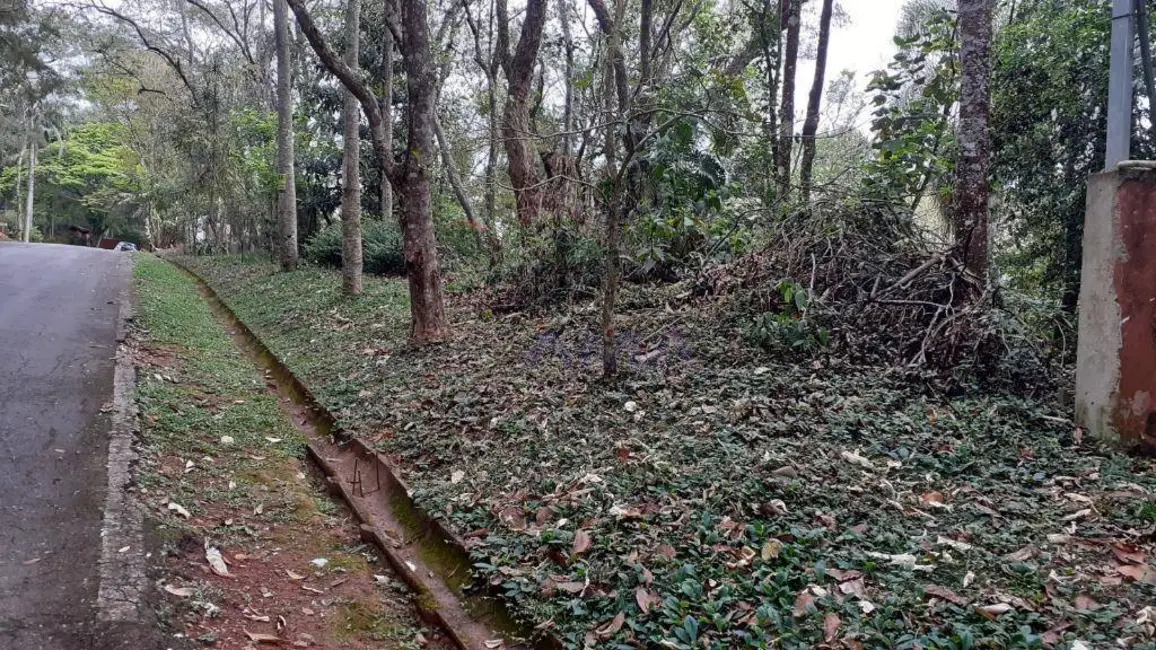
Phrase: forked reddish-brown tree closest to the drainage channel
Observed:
(410, 179)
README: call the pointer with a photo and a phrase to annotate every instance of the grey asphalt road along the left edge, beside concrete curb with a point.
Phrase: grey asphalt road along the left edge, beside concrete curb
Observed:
(58, 322)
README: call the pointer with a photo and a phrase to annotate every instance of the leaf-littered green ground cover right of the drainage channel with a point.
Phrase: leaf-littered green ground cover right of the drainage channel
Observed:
(722, 491)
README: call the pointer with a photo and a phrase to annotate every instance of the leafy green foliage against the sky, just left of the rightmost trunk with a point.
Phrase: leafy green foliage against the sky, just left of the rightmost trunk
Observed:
(914, 100)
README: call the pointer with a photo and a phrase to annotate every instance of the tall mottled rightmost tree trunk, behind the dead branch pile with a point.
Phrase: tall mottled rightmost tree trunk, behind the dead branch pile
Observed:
(973, 191)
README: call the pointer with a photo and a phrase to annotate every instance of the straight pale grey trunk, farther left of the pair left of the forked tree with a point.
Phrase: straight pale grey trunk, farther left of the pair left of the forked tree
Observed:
(287, 194)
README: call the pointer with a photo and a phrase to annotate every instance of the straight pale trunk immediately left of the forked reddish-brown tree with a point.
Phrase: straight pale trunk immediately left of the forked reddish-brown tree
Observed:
(351, 189)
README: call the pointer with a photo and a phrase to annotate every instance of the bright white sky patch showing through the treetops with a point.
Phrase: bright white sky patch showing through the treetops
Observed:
(862, 46)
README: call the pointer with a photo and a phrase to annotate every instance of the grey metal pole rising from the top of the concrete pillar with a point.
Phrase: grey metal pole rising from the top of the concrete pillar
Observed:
(1120, 86)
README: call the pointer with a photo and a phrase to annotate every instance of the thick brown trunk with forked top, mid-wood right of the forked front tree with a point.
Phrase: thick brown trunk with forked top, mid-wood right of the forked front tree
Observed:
(517, 130)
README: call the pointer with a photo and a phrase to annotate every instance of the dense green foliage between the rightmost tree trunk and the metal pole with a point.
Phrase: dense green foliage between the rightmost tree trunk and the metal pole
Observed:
(1049, 98)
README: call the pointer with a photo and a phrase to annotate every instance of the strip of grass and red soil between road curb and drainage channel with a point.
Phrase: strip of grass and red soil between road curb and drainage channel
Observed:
(253, 498)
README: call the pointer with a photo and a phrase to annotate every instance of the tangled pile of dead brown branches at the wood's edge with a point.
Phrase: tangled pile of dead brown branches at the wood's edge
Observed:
(887, 296)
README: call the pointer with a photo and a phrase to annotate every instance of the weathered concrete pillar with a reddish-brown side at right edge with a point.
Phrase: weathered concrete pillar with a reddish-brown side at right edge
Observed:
(1116, 359)
